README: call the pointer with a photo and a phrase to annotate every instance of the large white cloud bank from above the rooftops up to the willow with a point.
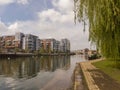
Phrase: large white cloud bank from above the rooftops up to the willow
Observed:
(57, 22)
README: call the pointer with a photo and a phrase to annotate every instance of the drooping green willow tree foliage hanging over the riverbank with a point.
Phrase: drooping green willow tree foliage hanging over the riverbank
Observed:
(104, 24)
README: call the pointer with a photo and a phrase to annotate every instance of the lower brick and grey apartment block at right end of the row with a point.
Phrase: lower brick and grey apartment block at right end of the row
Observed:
(52, 45)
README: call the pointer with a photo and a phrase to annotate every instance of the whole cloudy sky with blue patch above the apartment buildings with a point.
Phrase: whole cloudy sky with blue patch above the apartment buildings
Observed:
(43, 18)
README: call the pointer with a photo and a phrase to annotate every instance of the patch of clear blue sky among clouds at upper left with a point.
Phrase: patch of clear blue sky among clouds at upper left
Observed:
(23, 11)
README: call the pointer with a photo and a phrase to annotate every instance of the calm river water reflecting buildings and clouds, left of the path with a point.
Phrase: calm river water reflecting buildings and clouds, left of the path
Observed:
(38, 73)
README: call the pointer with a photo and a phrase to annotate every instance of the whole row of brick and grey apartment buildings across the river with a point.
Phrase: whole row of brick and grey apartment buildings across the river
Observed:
(30, 43)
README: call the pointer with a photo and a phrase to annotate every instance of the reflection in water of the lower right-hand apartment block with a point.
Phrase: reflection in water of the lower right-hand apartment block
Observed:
(55, 62)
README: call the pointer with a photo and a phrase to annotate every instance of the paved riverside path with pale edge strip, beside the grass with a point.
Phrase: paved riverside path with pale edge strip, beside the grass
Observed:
(96, 79)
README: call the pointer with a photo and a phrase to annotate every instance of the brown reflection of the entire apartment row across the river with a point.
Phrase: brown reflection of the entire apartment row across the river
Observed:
(31, 66)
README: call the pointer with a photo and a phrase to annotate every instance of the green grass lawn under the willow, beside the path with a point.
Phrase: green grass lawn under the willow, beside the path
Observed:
(108, 67)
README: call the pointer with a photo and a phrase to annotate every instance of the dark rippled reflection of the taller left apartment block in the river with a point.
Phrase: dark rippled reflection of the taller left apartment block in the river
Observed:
(20, 68)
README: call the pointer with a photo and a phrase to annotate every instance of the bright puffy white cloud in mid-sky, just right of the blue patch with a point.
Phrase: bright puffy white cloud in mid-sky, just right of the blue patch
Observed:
(55, 16)
